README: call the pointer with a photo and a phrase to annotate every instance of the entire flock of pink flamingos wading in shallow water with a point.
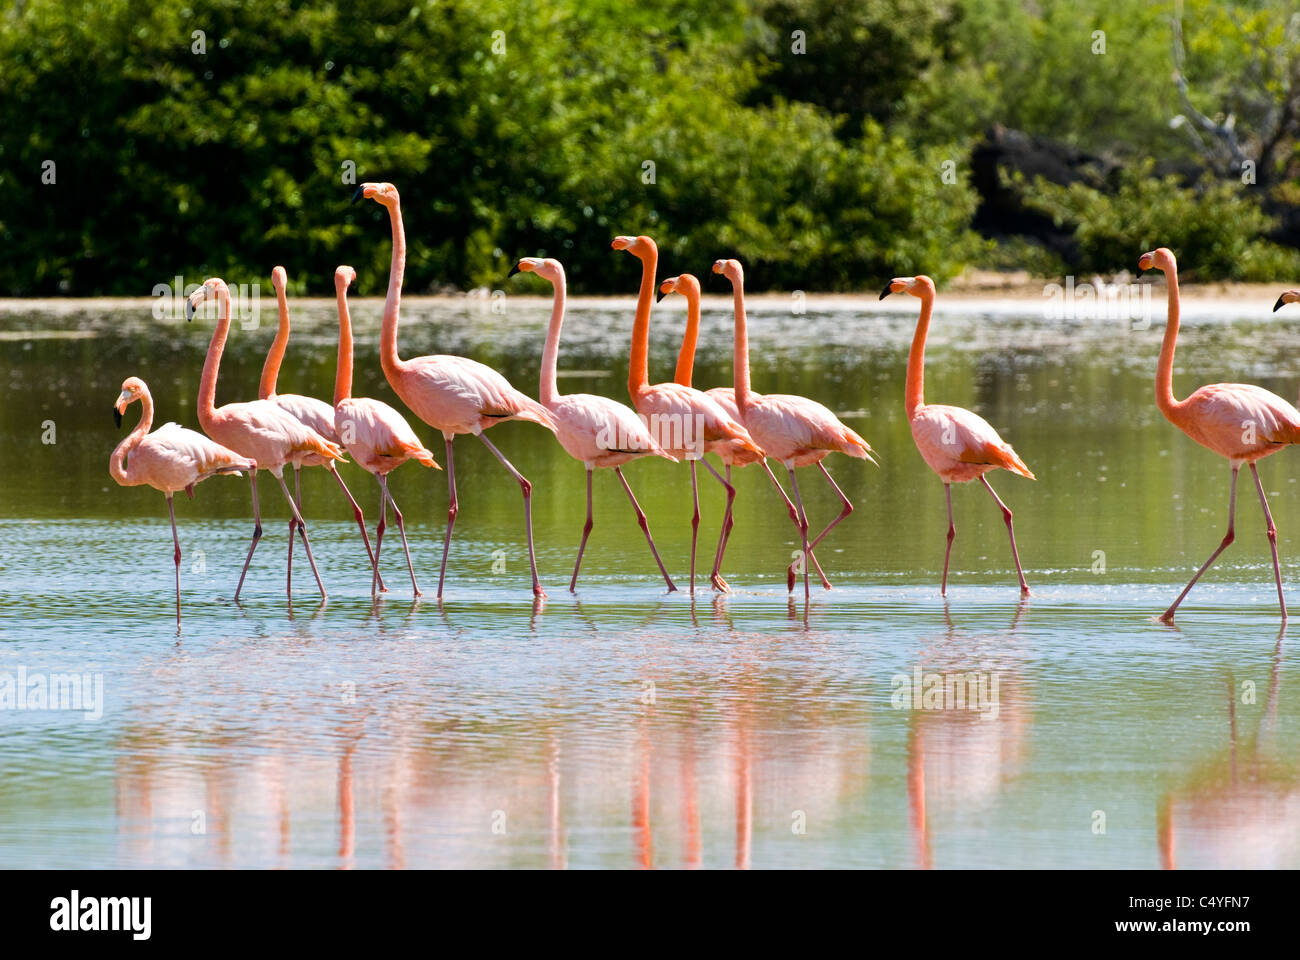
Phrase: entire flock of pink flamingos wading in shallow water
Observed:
(740, 427)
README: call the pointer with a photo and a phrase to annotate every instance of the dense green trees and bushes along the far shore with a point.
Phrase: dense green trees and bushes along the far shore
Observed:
(826, 144)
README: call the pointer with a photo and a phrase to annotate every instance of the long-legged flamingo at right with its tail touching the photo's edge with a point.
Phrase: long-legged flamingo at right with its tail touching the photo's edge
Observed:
(1241, 422)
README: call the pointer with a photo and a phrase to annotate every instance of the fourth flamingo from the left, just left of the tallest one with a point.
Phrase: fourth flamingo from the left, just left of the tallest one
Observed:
(376, 435)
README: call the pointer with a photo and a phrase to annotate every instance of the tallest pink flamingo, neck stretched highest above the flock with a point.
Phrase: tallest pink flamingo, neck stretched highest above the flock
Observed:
(453, 395)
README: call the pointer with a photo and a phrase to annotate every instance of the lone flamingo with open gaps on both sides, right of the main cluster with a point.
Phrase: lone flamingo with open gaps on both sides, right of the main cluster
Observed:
(955, 443)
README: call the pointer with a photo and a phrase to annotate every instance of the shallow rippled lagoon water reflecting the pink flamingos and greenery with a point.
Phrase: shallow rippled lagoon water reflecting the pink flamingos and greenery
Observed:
(629, 728)
